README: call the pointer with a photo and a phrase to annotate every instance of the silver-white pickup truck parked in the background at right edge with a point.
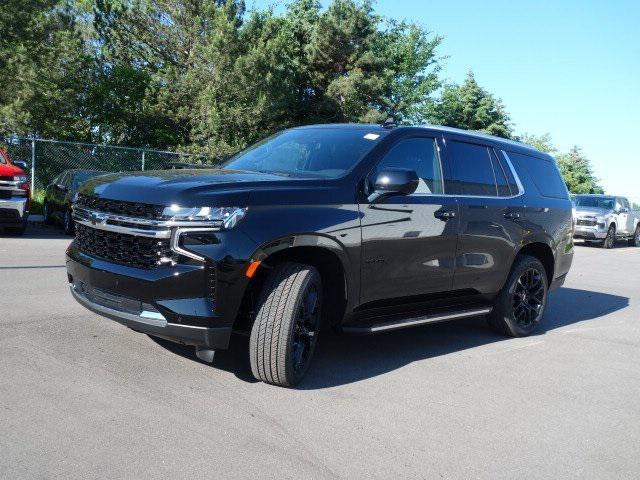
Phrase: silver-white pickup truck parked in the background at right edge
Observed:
(605, 219)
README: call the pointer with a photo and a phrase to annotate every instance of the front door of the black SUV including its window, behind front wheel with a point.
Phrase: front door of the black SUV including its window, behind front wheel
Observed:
(409, 241)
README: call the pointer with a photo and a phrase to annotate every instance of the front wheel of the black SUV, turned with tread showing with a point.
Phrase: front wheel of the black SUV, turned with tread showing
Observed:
(284, 333)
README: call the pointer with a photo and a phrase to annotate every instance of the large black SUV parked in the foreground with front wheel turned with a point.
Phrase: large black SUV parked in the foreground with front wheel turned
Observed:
(366, 228)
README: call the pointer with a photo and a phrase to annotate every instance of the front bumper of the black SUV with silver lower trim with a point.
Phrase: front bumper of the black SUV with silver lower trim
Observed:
(171, 303)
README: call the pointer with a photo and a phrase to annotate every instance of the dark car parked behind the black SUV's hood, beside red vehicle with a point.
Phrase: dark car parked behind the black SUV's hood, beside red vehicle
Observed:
(60, 195)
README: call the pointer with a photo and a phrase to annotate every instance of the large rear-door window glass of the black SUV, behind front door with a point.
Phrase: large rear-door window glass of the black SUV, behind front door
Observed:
(472, 170)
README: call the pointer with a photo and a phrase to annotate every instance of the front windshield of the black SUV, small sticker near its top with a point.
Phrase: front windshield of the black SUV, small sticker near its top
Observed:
(317, 152)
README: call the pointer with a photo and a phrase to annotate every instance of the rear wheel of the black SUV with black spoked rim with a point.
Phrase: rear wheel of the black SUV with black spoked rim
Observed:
(510, 315)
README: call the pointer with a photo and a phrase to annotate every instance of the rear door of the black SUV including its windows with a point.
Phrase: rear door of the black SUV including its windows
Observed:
(491, 213)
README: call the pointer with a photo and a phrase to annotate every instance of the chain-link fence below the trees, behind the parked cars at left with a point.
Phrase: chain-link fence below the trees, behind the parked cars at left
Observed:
(48, 158)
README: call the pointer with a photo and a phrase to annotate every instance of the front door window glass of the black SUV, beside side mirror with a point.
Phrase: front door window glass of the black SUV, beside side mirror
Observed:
(421, 156)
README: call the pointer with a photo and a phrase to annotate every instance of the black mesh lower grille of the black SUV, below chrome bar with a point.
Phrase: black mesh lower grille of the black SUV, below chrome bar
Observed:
(131, 250)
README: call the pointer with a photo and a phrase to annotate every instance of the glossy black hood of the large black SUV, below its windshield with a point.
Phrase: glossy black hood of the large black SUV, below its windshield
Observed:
(208, 187)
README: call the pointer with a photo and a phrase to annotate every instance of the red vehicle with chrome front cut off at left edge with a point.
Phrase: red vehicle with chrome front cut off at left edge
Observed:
(15, 195)
